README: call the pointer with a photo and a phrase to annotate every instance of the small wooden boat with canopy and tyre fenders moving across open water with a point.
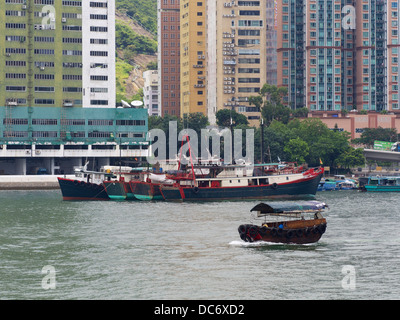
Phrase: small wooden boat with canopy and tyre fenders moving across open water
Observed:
(298, 223)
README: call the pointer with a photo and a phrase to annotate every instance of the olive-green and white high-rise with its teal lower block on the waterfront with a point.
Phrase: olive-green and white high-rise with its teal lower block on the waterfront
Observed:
(57, 89)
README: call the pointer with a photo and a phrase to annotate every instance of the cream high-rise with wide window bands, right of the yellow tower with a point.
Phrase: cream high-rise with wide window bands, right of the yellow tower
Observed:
(240, 50)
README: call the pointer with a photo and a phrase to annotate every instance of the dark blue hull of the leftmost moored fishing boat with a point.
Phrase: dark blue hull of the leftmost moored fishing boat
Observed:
(80, 190)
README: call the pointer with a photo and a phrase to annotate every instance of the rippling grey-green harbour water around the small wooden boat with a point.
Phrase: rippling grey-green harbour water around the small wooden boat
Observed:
(158, 250)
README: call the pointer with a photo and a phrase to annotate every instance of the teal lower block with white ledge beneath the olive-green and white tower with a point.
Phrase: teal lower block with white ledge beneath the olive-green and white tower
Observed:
(59, 139)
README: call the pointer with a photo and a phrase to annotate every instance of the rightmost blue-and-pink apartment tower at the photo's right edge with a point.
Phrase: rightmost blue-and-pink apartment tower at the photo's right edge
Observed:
(373, 40)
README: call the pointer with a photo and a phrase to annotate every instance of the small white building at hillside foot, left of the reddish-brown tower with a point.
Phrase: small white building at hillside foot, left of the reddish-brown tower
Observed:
(150, 92)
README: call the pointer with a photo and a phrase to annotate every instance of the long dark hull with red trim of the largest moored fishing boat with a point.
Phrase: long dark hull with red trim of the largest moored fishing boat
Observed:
(301, 188)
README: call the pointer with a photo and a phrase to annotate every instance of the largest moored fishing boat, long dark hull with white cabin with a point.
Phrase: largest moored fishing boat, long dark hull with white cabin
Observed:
(238, 182)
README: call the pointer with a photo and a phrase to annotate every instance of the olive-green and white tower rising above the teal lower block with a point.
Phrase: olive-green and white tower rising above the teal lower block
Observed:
(57, 53)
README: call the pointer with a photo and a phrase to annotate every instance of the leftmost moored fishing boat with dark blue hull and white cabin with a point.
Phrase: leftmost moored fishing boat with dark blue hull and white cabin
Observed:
(87, 185)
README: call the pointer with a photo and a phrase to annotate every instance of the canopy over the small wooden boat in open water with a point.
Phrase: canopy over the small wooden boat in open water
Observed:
(282, 207)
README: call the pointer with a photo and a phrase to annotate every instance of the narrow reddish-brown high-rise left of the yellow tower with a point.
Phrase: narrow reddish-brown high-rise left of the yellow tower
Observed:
(169, 57)
